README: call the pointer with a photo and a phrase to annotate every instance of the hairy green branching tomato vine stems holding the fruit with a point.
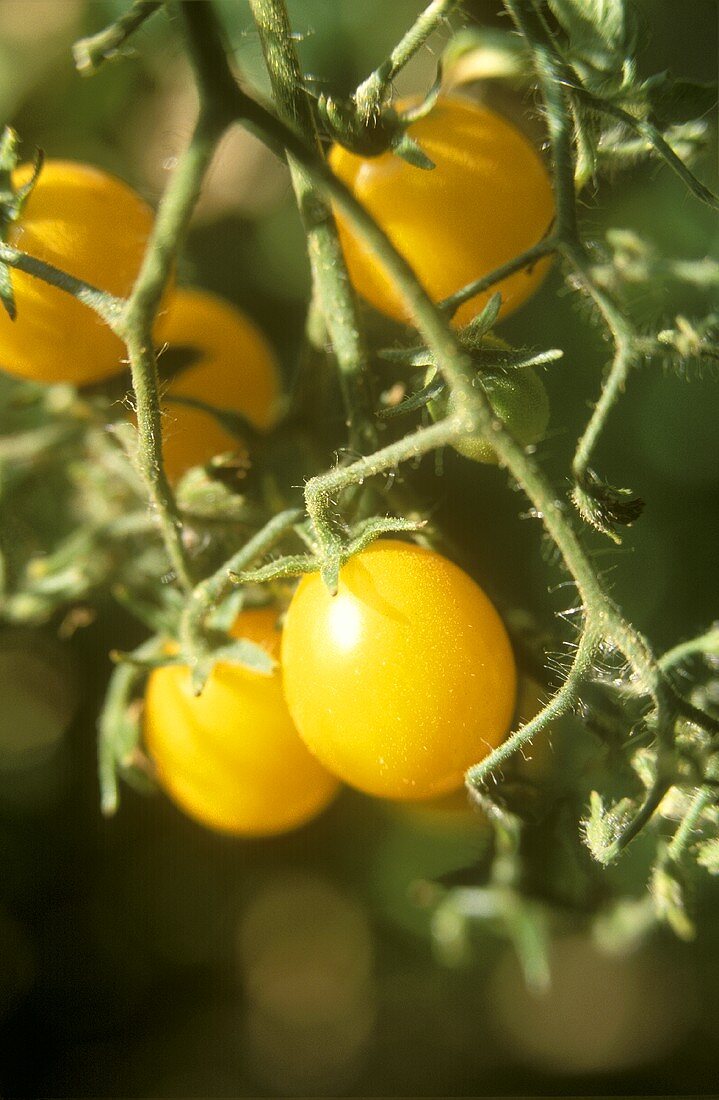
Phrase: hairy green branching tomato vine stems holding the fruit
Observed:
(580, 83)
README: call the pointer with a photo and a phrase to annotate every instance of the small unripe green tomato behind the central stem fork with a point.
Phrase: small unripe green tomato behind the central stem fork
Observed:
(518, 399)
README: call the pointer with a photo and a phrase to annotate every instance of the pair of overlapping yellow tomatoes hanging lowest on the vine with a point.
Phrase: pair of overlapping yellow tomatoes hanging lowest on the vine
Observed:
(396, 686)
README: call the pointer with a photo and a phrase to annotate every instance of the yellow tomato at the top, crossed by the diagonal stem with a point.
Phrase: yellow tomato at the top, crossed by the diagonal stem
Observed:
(488, 200)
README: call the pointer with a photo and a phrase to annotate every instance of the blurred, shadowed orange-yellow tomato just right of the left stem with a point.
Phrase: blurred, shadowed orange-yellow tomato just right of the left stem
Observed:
(236, 371)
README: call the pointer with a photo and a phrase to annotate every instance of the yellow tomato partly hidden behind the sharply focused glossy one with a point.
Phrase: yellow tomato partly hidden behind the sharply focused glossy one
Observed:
(231, 757)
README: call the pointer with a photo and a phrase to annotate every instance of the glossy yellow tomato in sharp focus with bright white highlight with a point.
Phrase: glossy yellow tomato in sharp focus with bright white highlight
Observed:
(405, 678)
